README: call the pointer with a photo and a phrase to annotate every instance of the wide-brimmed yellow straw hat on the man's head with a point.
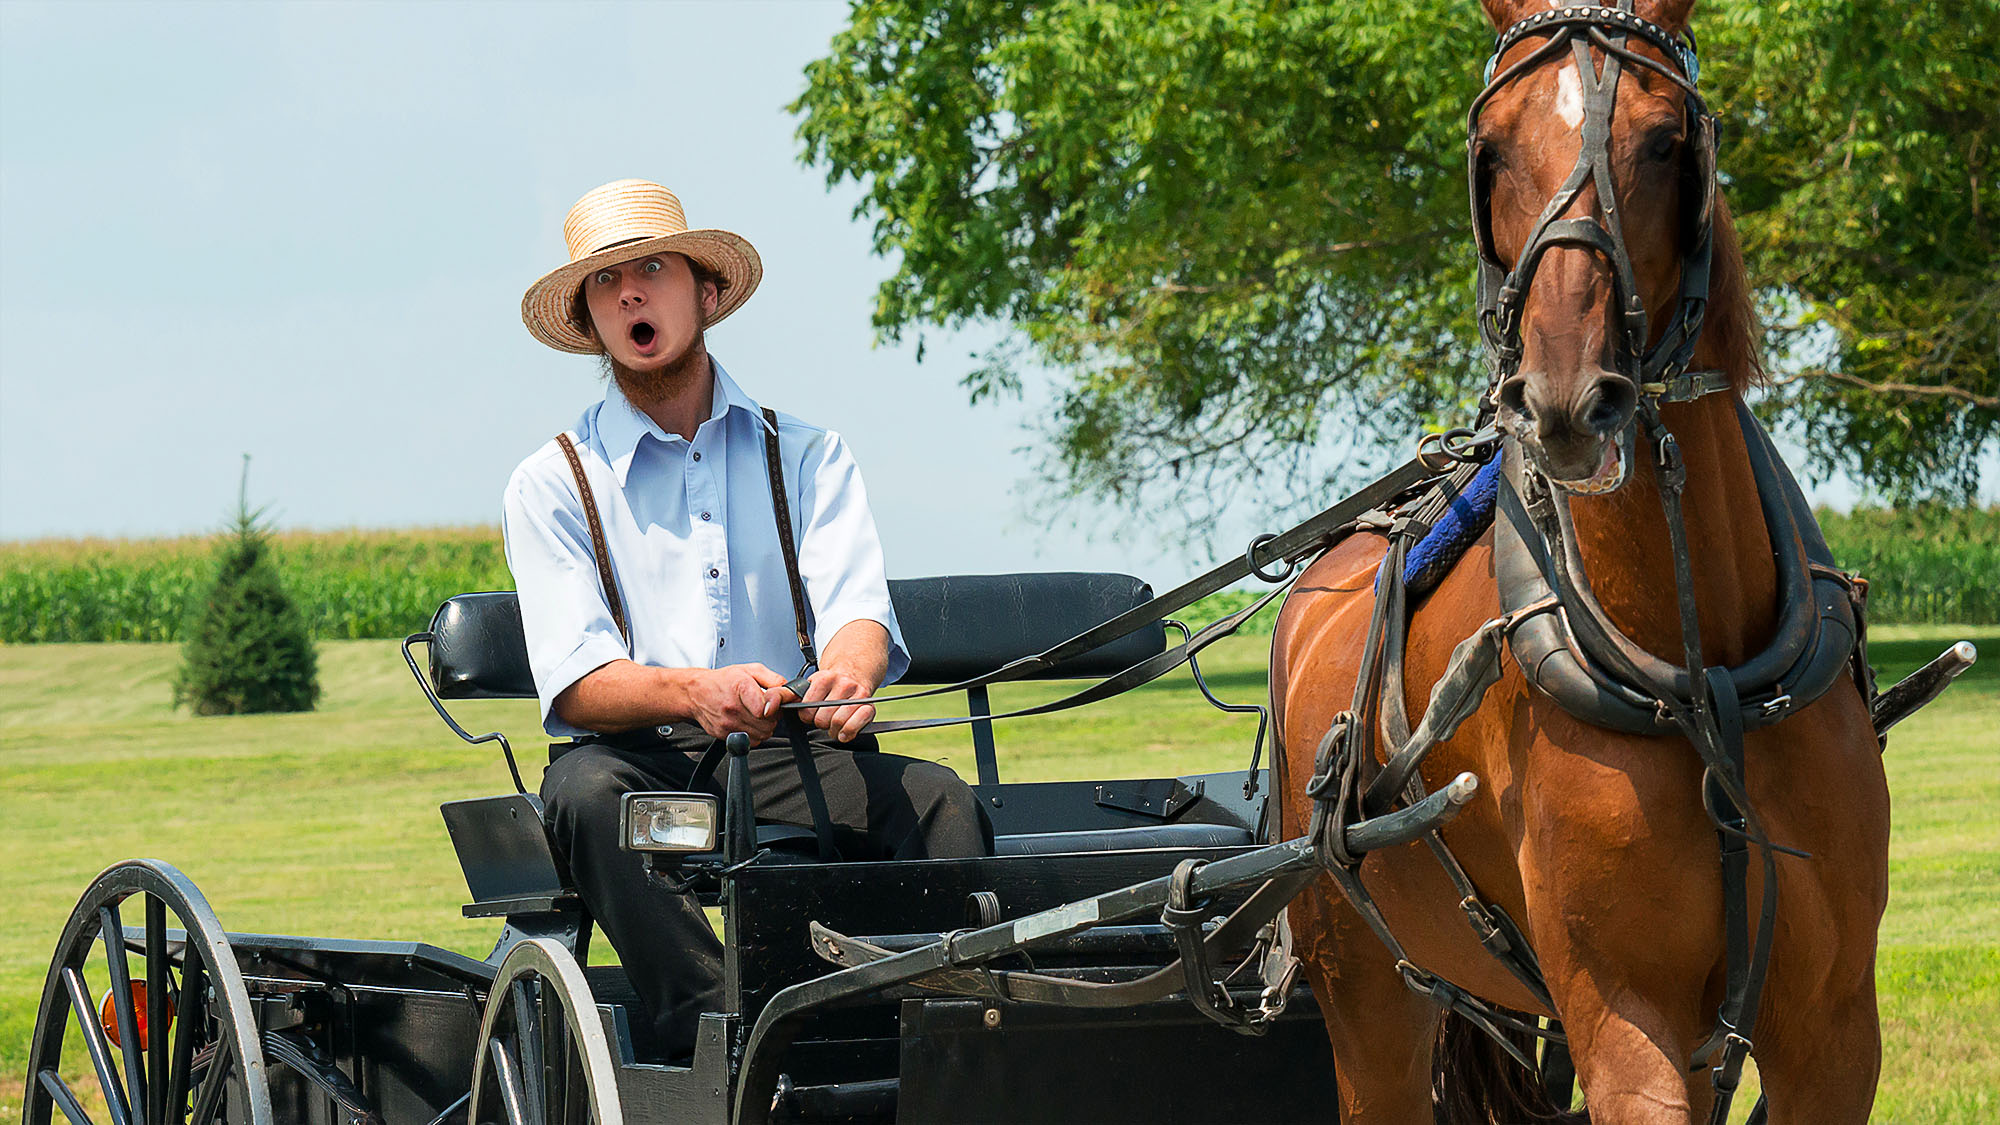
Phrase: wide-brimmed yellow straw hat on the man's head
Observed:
(617, 223)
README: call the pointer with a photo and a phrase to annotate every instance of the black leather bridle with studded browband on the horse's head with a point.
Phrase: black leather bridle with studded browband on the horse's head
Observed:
(1657, 371)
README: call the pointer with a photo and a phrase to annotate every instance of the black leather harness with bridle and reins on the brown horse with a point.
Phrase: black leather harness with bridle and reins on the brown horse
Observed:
(1551, 620)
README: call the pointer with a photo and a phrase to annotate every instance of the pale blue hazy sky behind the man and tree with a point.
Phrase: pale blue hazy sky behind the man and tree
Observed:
(303, 231)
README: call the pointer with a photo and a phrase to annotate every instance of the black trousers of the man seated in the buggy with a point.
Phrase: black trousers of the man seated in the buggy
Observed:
(881, 806)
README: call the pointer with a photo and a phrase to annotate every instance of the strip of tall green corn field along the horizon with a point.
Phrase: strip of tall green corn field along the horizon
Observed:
(1925, 566)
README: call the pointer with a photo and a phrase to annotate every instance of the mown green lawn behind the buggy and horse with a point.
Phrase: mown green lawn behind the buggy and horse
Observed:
(327, 824)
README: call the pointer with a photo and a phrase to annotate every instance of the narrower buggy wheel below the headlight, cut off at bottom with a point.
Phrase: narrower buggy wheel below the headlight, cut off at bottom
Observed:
(543, 1056)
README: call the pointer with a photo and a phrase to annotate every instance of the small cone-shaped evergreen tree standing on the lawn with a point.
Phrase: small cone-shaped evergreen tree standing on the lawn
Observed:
(249, 650)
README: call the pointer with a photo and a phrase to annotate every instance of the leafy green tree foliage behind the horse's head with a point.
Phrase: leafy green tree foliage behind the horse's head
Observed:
(1239, 229)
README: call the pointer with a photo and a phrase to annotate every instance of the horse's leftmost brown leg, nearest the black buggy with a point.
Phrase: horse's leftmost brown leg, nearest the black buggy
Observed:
(1381, 1032)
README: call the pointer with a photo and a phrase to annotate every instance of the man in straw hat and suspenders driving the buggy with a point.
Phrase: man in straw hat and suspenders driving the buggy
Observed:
(651, 551)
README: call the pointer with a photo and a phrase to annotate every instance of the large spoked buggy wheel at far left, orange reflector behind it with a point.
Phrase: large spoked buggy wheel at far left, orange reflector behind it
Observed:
(169, 1038)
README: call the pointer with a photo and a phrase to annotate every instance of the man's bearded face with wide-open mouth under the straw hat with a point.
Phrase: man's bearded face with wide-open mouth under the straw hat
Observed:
(649, 311)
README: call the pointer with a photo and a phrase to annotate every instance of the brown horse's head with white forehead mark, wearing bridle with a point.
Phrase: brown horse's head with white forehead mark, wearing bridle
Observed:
(1593, 167)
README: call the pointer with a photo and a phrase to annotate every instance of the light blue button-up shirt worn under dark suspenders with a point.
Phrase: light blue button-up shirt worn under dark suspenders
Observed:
(693, 543)
